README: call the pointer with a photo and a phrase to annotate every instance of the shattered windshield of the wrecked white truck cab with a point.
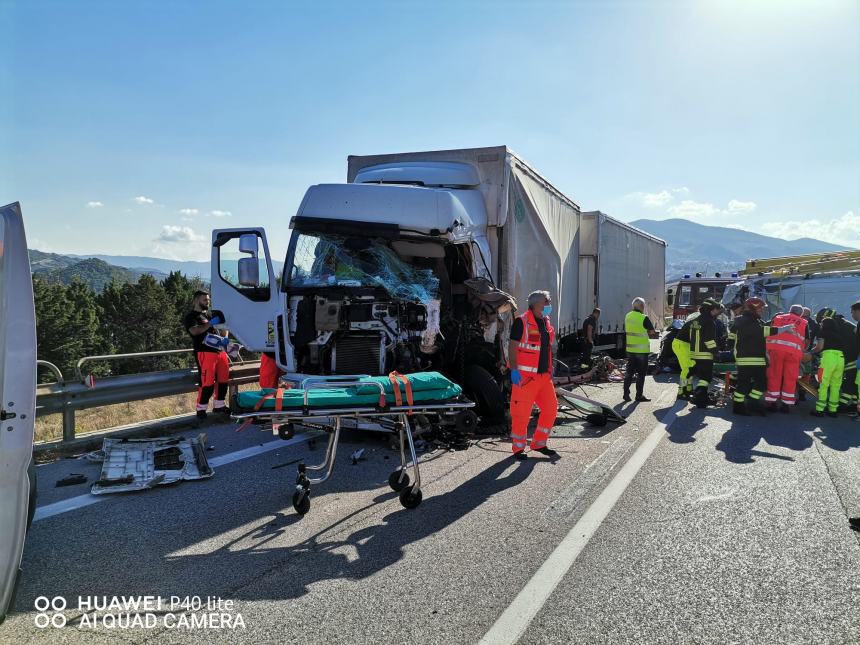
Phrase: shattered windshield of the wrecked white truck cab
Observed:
(323, 260)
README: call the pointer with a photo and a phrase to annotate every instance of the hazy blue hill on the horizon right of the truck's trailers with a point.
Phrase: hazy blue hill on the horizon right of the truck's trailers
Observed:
(695, 247)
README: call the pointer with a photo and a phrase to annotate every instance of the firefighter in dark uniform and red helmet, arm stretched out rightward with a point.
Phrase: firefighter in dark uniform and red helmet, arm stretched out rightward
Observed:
(751, 357)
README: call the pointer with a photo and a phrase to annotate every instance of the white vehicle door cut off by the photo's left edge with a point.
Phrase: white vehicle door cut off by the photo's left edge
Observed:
(18, 392)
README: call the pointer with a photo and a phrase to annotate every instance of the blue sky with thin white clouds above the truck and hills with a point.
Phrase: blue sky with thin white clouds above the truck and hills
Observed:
(137, 127)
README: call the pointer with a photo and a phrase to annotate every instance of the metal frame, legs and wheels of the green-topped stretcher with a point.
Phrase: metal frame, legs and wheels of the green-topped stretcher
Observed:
(330, 419)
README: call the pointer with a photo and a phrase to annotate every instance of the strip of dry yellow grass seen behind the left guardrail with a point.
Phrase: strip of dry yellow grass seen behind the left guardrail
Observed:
(50, 427)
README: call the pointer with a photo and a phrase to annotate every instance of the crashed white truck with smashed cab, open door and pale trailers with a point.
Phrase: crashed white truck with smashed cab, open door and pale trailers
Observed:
(407, 264)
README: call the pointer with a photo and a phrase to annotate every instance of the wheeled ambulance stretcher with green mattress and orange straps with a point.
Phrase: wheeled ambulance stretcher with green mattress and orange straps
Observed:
(325, 401)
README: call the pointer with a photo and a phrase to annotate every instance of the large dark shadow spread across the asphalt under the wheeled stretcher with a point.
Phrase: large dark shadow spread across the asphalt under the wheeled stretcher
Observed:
(159, 565)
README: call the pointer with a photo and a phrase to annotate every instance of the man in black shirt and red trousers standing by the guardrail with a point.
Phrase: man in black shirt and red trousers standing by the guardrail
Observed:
(212, 364)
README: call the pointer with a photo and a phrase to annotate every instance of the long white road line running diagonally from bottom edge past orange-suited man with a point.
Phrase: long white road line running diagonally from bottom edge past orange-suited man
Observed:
(514, 621)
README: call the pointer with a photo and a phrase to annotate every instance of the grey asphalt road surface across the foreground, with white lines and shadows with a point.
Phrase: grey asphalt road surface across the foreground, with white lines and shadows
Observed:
(680, 526)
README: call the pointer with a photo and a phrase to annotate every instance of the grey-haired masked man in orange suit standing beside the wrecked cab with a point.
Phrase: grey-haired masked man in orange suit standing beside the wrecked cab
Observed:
(530, 356)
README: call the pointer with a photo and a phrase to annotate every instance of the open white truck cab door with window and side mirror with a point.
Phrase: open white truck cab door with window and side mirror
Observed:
(244, 286)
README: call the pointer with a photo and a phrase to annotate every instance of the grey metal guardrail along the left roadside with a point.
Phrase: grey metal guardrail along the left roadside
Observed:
(66, 398)
